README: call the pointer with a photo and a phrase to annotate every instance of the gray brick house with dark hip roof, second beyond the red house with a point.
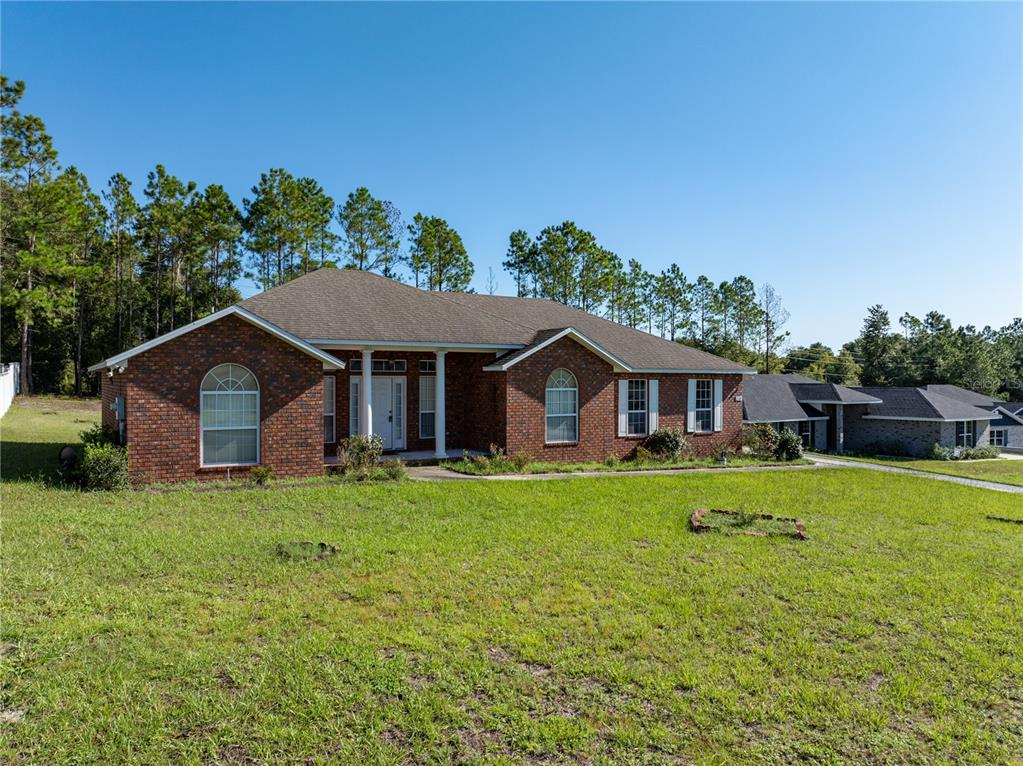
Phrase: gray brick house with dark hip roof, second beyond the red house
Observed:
(916, 420)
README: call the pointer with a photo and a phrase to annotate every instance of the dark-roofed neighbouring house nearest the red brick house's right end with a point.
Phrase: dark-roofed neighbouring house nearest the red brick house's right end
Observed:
(813, 410)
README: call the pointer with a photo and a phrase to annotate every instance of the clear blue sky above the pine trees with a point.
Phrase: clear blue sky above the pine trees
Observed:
(848, 154)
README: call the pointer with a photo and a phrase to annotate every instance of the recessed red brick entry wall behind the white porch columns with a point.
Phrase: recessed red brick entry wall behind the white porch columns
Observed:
(475, 399)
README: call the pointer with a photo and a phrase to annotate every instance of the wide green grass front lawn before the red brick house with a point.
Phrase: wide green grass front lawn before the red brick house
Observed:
(511, 622)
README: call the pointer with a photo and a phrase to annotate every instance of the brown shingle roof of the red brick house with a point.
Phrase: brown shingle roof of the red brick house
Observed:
(359, 306)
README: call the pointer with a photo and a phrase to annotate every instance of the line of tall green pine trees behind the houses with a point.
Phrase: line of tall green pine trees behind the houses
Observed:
(86, 276)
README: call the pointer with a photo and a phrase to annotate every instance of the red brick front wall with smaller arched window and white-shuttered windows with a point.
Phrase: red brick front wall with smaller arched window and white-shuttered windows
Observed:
(599, 408)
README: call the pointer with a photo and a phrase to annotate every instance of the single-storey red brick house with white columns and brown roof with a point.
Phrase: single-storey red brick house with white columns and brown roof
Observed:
(280, 379)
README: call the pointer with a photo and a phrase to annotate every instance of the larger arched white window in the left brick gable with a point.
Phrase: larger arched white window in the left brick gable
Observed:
(230, 417)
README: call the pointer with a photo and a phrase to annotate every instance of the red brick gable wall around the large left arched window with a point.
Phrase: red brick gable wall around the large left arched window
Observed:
(163, 403)
